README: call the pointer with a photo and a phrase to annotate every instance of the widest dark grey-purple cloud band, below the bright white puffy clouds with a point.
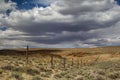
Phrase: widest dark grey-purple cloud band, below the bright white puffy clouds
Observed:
(58, 27)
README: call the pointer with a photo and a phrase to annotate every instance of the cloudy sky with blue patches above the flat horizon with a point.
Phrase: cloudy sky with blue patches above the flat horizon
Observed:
(59, 23)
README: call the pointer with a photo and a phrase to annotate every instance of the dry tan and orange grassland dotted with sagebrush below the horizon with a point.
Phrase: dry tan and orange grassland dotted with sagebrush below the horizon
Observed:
(101, 63)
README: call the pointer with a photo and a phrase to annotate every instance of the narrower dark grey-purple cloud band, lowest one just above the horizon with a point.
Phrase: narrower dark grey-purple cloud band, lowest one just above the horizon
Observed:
(60, 38)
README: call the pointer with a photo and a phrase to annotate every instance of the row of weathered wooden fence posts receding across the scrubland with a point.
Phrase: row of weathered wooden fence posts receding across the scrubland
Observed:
(79, 62)
